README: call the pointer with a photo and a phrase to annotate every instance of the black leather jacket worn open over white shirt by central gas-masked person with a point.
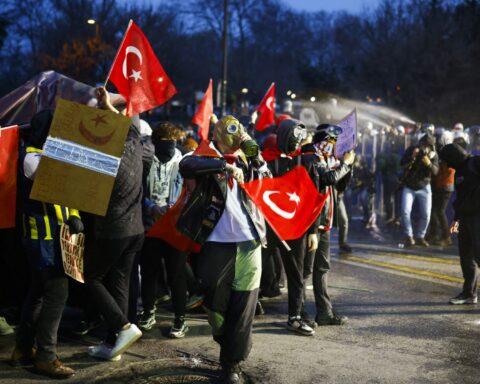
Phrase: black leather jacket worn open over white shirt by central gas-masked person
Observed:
(207, 202)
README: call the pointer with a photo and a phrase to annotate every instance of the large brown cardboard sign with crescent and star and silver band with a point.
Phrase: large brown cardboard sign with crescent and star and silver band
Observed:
(80, 158)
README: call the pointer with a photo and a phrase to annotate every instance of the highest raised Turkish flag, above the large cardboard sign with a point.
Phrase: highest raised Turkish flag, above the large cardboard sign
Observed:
(138, 75)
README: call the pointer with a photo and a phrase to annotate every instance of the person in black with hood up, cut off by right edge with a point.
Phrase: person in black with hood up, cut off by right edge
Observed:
(467, 217)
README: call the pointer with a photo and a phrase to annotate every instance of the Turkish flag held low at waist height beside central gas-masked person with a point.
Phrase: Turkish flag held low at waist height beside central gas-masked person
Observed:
(290, 203)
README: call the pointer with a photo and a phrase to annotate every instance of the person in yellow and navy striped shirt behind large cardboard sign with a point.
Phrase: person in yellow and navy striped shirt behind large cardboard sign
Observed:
(48, 291)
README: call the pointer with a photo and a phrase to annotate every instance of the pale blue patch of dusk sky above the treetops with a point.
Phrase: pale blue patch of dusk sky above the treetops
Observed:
(353, 6)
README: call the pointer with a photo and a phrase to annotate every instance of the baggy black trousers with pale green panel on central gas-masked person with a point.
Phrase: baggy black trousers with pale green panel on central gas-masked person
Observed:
(229, 274)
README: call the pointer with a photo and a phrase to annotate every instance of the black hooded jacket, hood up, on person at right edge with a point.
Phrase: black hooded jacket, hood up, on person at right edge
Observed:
(467, 179)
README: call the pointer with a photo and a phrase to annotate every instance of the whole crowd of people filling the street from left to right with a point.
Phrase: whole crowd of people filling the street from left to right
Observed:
(238, 260)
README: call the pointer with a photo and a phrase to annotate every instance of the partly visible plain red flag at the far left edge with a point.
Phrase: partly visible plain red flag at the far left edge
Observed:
(8, 175)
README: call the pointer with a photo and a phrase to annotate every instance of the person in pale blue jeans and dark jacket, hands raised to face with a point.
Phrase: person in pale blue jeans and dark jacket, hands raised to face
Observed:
(420, 163)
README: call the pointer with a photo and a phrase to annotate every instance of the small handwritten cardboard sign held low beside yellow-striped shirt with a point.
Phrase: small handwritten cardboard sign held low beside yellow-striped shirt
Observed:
(73, 247)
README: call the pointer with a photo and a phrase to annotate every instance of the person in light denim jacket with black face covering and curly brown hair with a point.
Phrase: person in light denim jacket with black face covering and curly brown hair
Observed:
(163, 187)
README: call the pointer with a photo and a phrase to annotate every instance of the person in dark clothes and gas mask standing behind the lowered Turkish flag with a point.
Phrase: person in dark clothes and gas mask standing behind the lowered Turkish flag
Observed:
(290, 134)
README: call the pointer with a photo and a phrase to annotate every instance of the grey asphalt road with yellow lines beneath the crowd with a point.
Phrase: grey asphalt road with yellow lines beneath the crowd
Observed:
(401, 330)
